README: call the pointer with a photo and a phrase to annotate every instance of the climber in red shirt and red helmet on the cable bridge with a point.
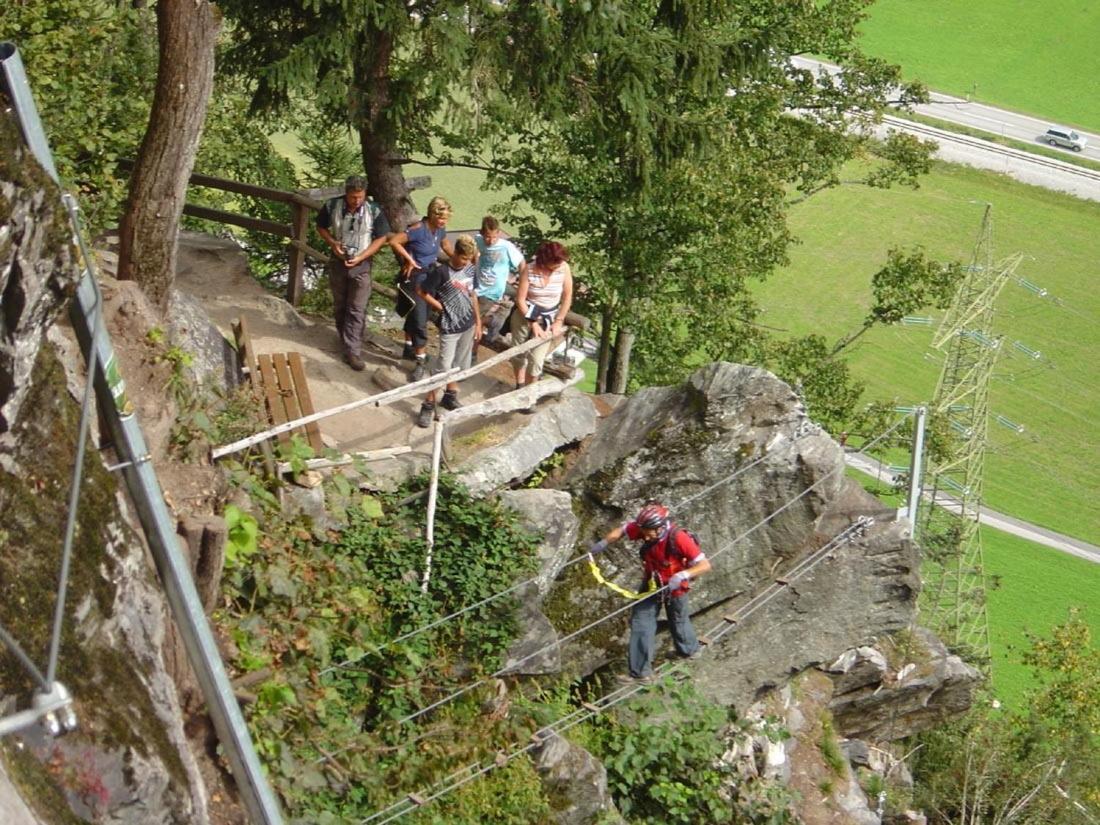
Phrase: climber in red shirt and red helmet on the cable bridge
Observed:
(672, 559)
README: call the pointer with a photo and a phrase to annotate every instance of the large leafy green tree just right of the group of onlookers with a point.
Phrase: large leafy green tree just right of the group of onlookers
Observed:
(659, 238)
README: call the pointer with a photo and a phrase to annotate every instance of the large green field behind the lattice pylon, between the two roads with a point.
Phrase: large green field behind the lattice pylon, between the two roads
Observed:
(1048, 475)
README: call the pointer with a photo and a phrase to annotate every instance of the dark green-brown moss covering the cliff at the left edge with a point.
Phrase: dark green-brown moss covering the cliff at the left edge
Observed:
(112, 698)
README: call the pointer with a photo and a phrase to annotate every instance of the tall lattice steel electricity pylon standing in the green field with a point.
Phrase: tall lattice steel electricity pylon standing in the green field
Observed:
(954, 600)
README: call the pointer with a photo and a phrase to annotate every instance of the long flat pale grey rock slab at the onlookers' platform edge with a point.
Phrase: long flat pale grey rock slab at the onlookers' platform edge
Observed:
(570, 420)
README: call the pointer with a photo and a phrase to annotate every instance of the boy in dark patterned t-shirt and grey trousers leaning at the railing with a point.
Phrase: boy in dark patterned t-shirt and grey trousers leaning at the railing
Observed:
(448, 289)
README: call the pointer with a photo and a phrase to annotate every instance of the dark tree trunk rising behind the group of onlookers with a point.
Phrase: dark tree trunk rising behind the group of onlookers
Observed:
(386, 179)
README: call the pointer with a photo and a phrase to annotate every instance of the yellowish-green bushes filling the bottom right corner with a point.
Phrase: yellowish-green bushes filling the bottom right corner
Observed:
(1035, 764)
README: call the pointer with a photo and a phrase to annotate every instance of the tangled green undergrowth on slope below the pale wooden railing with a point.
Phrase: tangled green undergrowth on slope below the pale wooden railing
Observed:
(324, 607)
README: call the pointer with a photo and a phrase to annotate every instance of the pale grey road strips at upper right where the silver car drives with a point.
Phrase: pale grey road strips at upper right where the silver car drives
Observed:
(1024, 167)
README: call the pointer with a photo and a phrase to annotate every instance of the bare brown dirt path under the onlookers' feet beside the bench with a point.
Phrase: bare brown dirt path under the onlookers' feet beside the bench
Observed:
(215, 271)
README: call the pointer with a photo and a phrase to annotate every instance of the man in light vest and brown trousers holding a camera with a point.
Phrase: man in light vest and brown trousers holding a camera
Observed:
(355, 229)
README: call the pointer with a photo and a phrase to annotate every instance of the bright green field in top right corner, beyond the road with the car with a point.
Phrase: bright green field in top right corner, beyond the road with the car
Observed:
(1037, 58)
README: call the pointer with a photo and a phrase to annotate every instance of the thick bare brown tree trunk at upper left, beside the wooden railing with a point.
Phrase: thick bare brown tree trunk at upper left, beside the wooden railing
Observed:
(188, 31)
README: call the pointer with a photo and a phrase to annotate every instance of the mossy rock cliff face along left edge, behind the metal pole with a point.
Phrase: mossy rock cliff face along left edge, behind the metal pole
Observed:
(129, 761)
